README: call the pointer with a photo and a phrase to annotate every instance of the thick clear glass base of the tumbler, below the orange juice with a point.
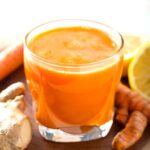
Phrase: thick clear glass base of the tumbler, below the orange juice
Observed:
(75, 134)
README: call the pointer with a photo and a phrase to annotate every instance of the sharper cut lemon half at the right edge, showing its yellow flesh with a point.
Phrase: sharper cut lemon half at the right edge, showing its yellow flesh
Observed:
(139, 71)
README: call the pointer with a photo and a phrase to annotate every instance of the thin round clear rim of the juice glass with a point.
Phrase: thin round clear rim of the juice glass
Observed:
(94, 63)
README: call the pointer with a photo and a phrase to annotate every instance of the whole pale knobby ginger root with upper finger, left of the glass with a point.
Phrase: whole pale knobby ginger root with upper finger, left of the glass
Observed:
(15, 127)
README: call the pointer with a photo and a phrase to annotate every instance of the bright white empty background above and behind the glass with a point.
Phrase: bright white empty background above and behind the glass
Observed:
(18, 16)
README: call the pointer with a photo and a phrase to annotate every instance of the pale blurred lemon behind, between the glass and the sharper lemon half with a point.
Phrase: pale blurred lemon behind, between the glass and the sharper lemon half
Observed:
(131, 44)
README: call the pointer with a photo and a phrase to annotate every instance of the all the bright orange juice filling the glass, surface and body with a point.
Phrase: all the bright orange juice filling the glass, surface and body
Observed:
(67, 97)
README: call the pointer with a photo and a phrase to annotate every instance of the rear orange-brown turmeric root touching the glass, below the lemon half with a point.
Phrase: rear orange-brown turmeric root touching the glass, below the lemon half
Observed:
(128, 100)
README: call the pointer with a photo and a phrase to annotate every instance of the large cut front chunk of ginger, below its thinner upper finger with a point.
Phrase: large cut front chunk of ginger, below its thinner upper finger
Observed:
(15, 127)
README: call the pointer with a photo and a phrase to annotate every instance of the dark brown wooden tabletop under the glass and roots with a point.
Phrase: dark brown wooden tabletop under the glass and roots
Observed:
(38, 143)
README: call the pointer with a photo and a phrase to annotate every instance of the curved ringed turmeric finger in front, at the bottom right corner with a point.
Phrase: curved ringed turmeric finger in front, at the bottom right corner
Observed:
(131, 133)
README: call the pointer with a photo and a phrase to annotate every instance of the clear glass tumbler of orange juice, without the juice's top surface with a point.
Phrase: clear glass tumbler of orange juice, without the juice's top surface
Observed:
(75, 102)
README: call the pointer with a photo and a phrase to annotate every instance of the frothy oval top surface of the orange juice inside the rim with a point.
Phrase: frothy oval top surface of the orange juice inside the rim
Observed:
(73, 45)
